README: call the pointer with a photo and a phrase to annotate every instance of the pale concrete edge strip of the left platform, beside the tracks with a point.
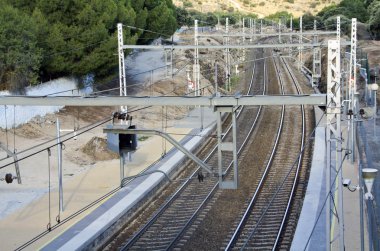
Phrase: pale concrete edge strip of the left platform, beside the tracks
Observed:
(91, 229)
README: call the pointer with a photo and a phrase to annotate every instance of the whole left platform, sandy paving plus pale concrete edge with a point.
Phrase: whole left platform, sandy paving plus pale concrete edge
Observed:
(22, 225)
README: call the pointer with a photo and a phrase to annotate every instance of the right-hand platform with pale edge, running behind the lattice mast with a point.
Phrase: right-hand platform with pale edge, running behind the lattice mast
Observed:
(315, 197)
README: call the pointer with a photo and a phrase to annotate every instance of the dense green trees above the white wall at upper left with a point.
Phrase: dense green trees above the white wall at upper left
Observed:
(42, 39)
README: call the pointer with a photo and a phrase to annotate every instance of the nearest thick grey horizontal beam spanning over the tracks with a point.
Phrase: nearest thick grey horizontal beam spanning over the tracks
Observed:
(314, 99)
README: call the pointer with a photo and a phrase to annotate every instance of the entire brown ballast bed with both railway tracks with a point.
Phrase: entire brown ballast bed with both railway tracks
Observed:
(191, 218)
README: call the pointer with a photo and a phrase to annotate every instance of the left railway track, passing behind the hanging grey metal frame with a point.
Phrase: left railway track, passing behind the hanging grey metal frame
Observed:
(176, 215)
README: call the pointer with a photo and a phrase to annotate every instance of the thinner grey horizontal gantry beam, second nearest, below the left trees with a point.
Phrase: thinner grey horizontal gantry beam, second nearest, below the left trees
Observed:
(231, 46)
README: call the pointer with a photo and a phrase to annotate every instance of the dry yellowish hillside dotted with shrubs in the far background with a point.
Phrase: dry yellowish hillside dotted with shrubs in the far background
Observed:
(260, 7)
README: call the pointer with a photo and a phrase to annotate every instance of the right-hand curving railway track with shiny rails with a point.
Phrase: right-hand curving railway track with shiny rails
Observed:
(263, 220)
